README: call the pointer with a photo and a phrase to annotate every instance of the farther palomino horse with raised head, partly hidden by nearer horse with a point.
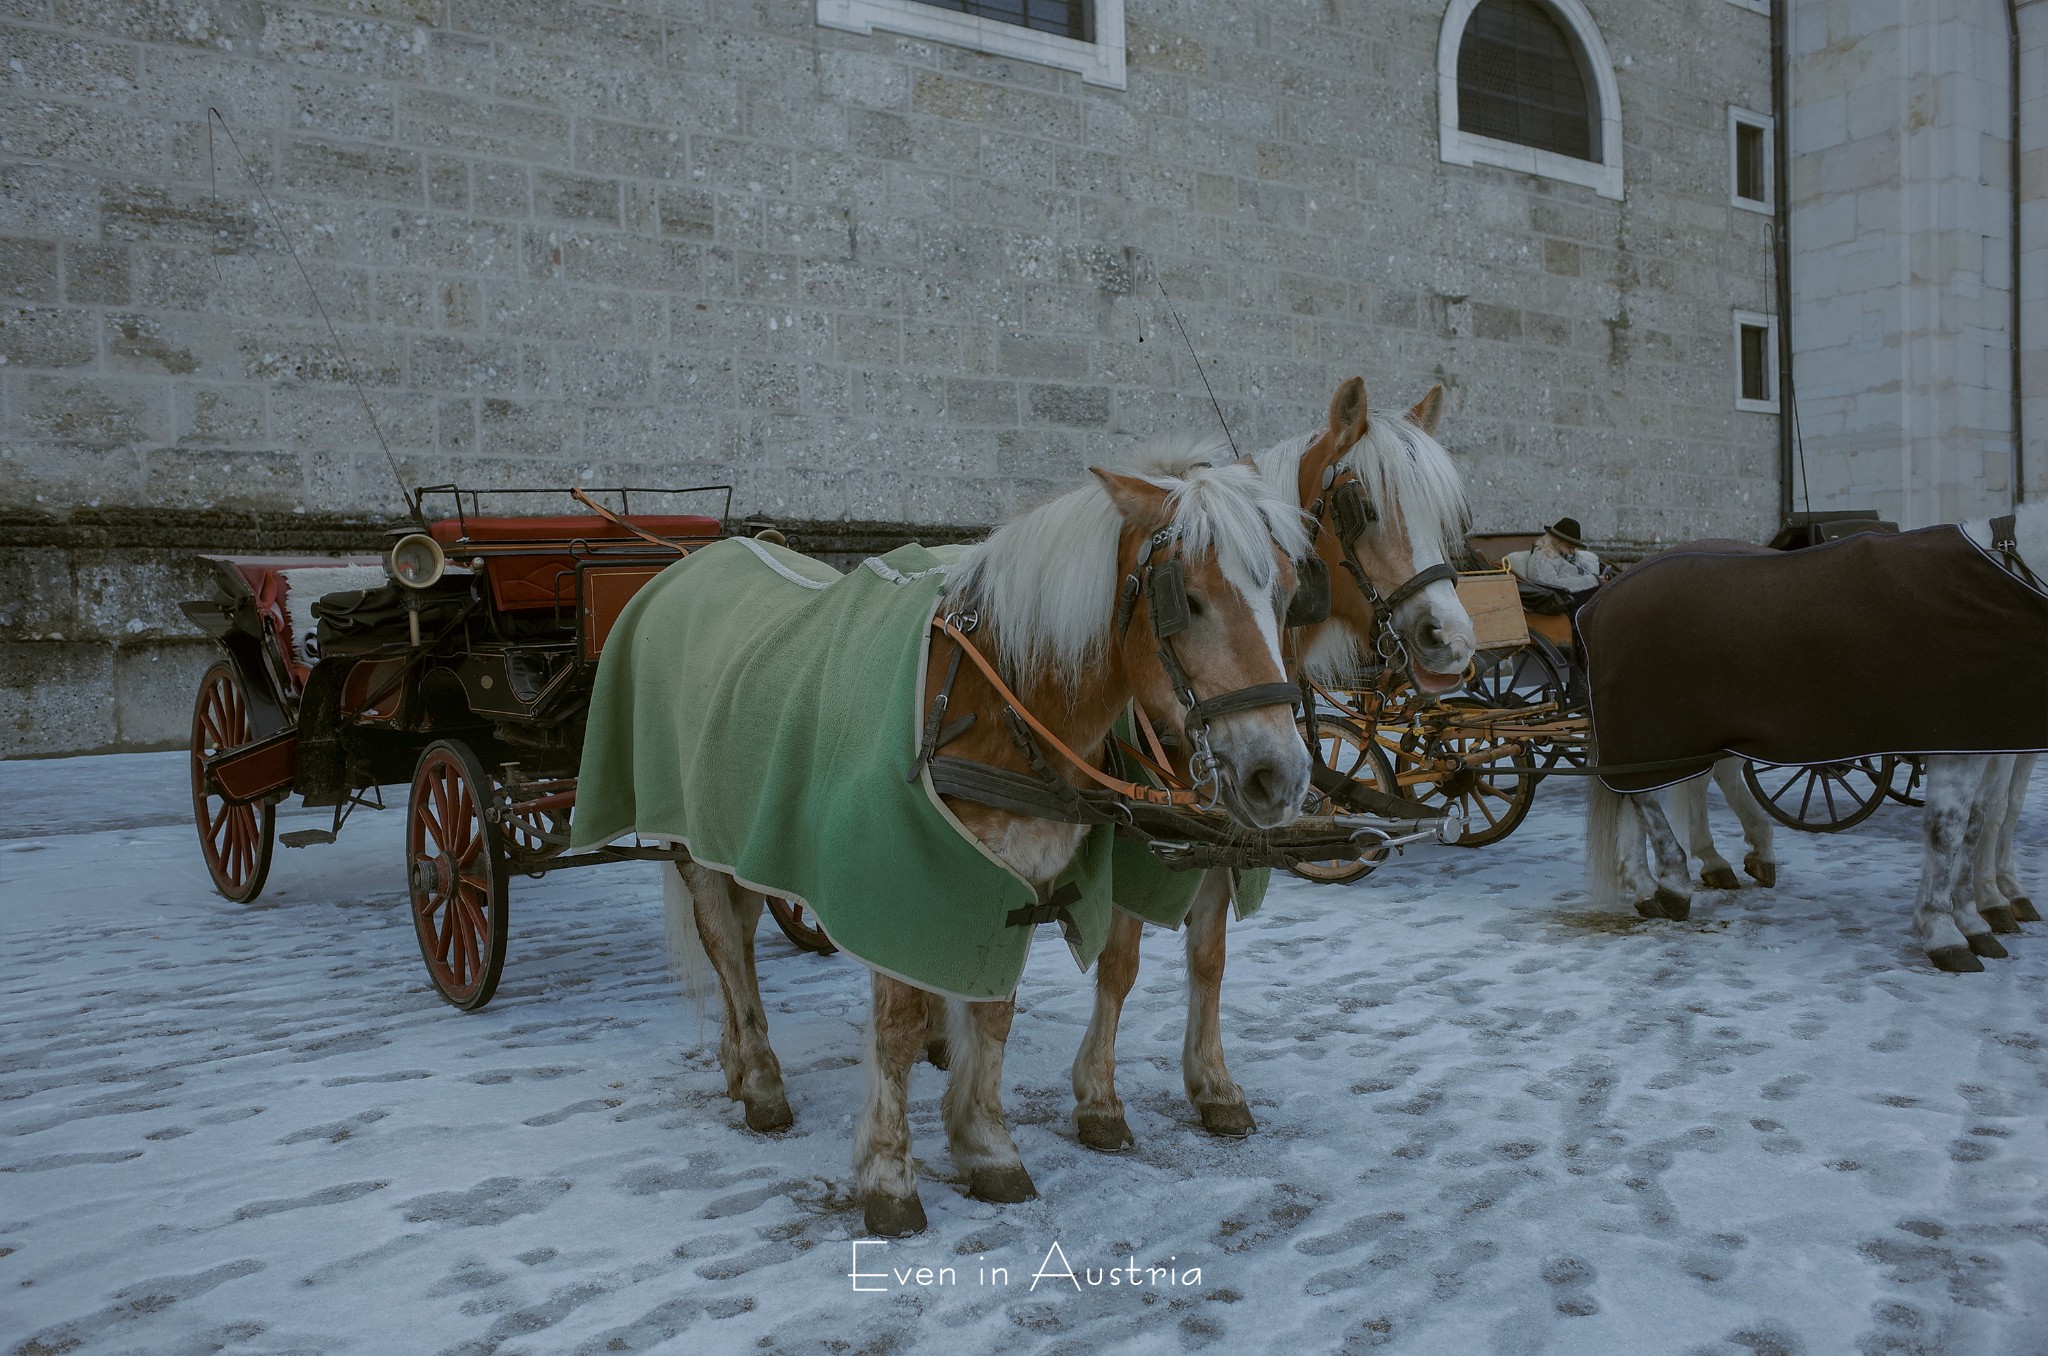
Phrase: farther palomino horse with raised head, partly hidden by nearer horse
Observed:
(1402, 511)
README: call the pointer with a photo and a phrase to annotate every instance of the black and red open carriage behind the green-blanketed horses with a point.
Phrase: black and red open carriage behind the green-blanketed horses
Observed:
(460, 665)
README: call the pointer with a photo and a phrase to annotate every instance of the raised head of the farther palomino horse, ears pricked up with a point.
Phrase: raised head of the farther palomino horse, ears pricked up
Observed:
(1388, 507)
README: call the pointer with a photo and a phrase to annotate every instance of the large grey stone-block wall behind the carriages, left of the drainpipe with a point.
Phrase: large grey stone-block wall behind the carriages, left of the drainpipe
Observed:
(861, 278)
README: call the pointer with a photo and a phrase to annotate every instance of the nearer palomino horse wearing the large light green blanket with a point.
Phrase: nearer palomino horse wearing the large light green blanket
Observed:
(1062, 601)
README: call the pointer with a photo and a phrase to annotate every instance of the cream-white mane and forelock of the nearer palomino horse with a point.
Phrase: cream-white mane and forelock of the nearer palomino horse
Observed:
(1048, 579)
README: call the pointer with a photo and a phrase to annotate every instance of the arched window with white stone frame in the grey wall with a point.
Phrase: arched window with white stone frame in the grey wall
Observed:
(1527, 85)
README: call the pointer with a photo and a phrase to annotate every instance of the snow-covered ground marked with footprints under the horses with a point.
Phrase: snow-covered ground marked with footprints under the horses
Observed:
(1490, 1121)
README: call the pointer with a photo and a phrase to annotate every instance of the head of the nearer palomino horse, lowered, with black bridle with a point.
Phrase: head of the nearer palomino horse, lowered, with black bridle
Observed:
(1205, 568)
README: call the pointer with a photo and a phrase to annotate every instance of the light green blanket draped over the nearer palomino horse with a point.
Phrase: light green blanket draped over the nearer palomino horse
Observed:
(763, 710)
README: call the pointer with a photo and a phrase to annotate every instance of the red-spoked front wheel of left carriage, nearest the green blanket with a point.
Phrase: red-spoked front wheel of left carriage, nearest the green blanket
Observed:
(456, 872)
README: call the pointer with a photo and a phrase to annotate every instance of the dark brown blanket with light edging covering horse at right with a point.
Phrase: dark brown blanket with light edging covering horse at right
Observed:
(1873, 644)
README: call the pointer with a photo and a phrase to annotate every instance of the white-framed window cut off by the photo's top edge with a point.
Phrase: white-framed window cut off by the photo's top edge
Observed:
(1080, 36)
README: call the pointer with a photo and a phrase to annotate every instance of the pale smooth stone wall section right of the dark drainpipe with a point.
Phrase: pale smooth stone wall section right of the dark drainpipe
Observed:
(1902, 187)
